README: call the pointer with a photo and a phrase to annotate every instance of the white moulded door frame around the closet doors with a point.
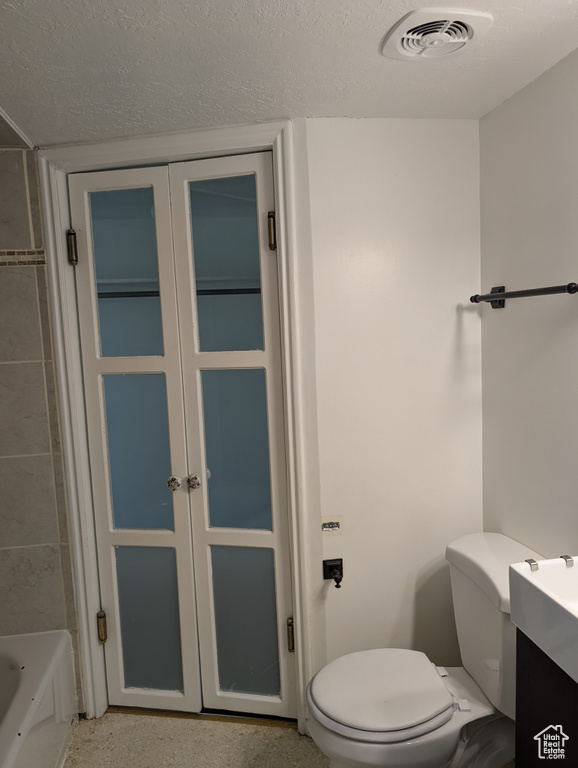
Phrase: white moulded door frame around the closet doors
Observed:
(298, 369)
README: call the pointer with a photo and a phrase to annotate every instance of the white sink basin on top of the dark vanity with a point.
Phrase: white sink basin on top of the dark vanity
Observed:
(544, 605)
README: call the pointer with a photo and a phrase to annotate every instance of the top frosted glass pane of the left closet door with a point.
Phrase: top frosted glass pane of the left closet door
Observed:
(127, 275)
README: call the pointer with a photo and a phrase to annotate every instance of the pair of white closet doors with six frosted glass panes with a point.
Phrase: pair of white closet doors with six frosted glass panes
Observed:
(179, 325)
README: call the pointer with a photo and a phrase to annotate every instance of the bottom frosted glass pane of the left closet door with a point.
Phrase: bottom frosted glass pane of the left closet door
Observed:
(149, 617)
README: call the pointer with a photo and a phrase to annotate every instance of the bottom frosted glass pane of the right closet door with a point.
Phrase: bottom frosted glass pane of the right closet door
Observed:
(246, 619)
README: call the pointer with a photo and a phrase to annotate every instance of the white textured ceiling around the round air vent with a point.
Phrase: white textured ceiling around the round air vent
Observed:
(89, 70)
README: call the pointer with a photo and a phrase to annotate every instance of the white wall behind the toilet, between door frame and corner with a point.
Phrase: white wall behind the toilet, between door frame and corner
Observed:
(395, 248)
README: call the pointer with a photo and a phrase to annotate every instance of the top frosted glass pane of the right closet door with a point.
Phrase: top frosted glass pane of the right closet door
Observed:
(226, 256)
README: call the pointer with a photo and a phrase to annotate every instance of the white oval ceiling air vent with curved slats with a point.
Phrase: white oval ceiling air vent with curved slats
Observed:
(435, 33)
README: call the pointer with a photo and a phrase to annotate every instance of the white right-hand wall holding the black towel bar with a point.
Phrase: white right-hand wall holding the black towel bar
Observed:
(529, 202)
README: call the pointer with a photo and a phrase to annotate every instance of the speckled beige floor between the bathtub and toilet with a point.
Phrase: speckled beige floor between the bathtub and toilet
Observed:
(128, 740)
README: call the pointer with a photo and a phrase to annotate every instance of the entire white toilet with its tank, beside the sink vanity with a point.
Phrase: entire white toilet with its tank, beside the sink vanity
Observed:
(392, 707)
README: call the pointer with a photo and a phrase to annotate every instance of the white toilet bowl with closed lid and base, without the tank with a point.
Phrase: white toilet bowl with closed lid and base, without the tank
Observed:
(393, 708)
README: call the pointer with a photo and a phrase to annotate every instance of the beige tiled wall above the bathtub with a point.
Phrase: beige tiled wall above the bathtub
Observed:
(35, 568)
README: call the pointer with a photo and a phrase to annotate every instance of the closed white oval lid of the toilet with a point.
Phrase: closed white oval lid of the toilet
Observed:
(386, 689)
